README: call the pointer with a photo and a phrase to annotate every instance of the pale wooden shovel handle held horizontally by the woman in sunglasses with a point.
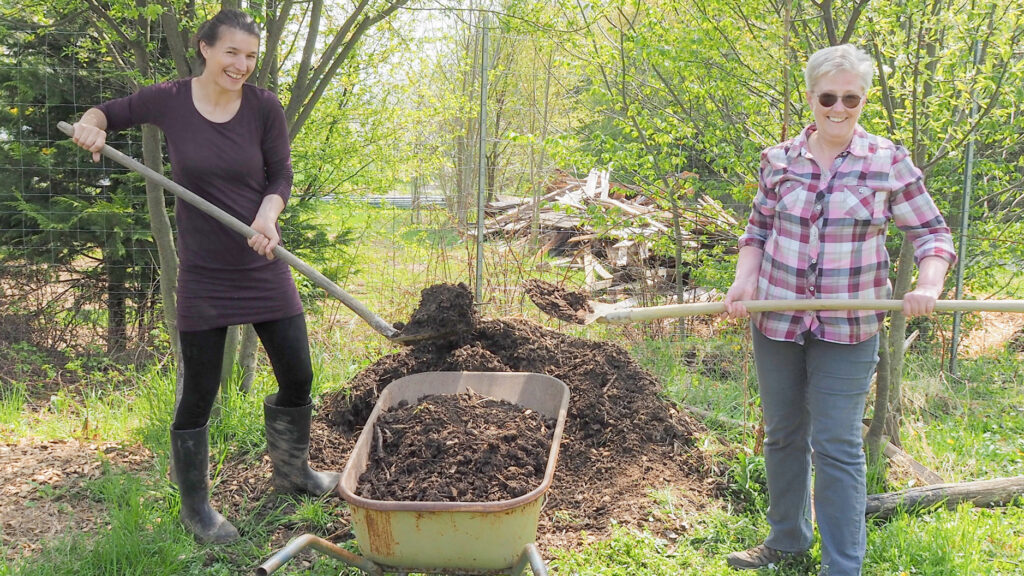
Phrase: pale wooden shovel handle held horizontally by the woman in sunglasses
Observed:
(678, 311)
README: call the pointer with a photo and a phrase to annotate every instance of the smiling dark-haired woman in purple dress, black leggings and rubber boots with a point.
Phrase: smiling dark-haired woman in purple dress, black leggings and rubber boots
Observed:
(228, 142)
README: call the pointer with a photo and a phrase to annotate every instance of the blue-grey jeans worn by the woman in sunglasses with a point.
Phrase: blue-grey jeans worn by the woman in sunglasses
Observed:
(814, 396)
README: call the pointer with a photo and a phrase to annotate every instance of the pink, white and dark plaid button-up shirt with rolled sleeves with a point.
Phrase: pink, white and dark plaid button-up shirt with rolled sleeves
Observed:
(824, 234)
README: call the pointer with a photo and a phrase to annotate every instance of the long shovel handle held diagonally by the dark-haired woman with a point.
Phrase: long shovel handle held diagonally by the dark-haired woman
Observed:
(376, 322)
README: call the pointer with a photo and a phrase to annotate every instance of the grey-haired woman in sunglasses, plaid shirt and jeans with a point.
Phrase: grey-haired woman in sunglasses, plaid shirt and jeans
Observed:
(818, 230)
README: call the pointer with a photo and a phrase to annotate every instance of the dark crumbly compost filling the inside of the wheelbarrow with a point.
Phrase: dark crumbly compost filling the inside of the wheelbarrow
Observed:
(461, 448)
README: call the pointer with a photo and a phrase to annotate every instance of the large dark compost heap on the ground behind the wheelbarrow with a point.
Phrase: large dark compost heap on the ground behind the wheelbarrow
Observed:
(621, 438)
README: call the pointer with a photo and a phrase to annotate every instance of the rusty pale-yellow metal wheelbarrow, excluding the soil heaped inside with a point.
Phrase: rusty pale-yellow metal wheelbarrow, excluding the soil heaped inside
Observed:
(452, 539)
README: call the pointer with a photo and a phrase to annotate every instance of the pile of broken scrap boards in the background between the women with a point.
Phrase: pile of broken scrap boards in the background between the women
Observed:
(610, 229)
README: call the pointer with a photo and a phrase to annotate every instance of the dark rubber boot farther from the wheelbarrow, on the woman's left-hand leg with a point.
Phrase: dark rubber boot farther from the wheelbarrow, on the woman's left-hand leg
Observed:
(191, 459)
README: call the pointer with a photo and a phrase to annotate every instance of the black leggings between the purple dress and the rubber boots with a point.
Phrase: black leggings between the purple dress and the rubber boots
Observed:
(202, 355)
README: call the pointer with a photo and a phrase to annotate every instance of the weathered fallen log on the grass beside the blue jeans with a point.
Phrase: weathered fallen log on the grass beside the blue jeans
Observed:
(984, 493)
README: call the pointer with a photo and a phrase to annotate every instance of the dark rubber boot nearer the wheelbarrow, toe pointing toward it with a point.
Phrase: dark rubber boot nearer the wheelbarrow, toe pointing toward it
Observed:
(288, 443)
